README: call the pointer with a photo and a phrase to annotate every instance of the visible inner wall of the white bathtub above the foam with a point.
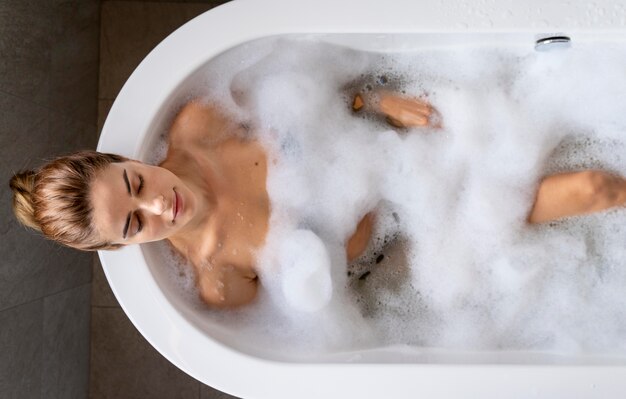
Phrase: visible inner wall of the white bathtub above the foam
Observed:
(205, 320)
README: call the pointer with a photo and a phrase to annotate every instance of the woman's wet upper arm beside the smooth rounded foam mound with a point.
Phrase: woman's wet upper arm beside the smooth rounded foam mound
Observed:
(227, 286)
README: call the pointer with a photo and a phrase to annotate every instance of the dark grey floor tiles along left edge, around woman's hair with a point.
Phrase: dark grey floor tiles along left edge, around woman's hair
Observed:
(48, 104)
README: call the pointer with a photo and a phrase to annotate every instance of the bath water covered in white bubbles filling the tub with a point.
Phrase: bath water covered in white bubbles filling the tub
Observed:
(452, 262)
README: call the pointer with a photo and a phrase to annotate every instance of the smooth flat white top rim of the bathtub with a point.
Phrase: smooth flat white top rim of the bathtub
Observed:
(191, 350)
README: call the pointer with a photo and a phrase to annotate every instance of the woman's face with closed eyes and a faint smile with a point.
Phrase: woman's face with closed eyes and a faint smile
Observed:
(135, 203)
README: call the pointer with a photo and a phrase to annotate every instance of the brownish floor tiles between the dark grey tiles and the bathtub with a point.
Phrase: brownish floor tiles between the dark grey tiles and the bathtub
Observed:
(123, 364)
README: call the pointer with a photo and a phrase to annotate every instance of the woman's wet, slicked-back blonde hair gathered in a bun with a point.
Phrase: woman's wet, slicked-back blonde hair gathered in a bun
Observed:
(55, 199)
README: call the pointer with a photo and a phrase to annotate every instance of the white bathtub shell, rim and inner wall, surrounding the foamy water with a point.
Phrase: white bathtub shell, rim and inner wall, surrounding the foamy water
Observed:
(195, 344)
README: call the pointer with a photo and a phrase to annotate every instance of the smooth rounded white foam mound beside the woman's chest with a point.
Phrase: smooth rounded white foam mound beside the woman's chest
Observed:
(305, 270)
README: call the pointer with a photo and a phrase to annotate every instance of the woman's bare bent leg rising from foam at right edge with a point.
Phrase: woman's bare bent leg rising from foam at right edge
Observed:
(578, 193)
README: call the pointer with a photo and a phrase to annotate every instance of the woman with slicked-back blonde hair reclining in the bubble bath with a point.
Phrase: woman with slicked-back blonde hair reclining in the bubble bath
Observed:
(209, 198)
